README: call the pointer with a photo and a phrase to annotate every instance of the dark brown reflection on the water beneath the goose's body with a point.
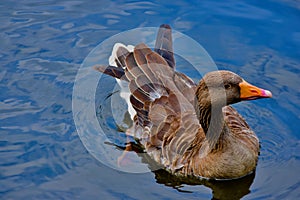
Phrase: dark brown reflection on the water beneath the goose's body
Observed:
(221, 189)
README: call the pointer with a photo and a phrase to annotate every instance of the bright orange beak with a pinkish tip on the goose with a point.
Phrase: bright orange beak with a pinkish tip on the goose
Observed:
(251, 92)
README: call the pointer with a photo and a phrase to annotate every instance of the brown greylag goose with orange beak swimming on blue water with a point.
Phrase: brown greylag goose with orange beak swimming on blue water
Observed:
(189, 128)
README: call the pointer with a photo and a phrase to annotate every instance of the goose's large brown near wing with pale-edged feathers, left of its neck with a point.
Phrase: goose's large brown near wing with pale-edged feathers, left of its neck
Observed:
(163, 109)
